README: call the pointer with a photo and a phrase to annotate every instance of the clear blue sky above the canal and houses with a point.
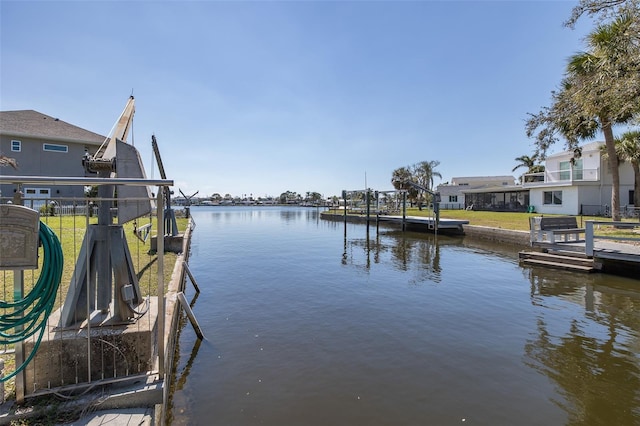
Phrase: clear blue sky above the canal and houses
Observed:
(260, 97)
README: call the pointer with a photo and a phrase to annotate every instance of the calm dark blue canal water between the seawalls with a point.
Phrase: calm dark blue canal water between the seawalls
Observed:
(311, 323)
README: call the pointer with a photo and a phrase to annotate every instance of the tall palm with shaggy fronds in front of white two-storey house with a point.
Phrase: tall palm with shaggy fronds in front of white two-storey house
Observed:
(601, 88)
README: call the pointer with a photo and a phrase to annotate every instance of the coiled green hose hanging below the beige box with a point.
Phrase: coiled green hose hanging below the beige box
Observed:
(29, 315)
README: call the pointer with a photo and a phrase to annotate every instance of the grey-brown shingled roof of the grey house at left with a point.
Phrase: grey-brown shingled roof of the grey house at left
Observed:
(30, 123)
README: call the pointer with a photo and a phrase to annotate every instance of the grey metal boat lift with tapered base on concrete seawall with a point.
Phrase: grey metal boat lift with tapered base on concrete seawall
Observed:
(104, 272)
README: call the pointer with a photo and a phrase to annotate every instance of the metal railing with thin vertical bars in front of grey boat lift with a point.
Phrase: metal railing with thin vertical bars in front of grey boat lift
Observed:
(60, 362)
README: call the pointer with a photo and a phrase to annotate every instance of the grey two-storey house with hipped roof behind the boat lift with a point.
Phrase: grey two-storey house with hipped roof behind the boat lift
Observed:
(42, 145)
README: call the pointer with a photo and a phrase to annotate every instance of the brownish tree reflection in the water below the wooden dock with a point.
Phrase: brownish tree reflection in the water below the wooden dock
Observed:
(593, 360)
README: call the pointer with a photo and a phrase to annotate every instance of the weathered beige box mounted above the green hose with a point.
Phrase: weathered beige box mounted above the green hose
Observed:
(19, 232)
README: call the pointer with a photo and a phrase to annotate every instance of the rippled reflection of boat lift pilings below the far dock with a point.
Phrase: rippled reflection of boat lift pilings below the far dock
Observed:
(404, 250)
